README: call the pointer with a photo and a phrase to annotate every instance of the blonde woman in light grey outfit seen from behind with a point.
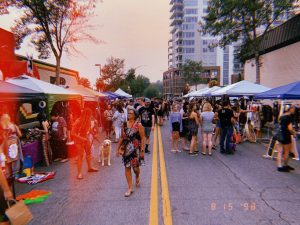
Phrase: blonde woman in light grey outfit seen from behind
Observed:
(206, 121)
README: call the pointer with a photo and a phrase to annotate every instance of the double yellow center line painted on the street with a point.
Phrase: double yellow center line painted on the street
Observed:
(166, 205)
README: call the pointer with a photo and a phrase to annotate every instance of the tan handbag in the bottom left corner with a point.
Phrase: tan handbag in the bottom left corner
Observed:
(19, 213)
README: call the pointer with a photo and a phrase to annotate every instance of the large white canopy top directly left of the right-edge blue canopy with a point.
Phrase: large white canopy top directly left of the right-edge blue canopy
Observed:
(242, 88)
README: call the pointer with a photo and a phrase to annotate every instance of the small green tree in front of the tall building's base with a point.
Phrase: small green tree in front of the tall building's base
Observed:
(191, 71)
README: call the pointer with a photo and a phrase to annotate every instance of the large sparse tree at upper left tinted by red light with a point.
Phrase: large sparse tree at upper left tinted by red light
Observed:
(54, 26)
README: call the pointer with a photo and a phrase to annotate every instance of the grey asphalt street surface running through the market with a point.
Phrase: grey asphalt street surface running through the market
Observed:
(238, 189)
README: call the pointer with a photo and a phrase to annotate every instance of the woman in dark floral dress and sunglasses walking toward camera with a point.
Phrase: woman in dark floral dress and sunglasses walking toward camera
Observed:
(131, 146)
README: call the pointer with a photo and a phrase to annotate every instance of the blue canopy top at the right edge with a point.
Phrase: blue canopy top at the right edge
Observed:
(289, 91)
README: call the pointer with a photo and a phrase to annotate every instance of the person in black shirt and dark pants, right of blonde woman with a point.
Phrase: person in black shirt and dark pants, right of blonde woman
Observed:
(226, 119)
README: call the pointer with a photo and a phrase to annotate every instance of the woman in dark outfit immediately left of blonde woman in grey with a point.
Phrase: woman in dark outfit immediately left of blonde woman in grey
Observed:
(193, 128)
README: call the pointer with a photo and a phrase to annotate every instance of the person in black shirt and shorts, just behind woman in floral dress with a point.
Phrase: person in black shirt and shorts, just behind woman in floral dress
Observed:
(146, 113)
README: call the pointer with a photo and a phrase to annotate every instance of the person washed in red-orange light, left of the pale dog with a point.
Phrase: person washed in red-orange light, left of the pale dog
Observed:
(82, 129)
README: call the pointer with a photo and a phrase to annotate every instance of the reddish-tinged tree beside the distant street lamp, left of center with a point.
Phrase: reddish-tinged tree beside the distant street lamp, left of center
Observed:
(112, 73)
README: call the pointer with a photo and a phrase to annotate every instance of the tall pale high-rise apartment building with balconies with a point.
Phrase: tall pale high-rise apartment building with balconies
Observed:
(187, 43)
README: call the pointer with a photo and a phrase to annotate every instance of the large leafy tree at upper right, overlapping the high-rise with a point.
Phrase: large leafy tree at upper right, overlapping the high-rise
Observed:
(245, 20)
